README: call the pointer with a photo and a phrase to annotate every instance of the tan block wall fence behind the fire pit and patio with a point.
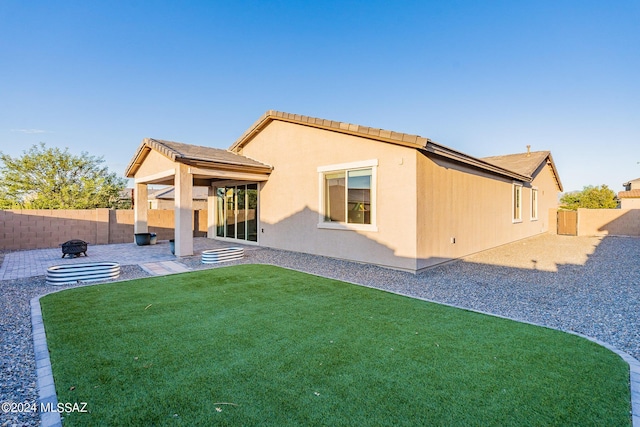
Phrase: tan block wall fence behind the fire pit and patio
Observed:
(39, 229)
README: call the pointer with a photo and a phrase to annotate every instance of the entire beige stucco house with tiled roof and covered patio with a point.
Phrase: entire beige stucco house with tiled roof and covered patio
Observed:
(341, 190)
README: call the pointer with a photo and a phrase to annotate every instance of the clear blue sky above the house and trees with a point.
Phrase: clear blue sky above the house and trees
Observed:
(483, 77)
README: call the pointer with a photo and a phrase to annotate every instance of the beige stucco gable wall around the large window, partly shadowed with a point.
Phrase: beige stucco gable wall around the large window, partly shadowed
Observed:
(289, 200)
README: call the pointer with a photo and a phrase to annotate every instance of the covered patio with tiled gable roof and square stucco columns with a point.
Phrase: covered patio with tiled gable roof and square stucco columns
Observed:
(185, 166)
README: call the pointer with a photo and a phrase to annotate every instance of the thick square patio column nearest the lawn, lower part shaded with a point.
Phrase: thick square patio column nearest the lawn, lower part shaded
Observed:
(183, 211)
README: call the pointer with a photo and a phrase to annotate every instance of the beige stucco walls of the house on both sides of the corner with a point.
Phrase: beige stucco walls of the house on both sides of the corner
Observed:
(422, 202)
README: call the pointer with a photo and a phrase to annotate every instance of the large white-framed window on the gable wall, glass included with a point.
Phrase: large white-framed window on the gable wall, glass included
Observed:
(348, 195)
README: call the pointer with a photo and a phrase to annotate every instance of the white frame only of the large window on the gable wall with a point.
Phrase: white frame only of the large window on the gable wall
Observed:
(346, 167)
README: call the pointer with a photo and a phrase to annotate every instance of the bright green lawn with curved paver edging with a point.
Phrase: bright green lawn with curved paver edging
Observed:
(257, 345)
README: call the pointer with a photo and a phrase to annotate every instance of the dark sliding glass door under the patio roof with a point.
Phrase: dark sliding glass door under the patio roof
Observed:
(237, 212)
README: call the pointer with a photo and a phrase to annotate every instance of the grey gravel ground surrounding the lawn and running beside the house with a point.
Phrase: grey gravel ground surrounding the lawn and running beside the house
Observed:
(588, 285)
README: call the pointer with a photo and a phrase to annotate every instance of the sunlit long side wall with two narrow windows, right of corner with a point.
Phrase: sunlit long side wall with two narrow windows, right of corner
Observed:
(475, 209)
